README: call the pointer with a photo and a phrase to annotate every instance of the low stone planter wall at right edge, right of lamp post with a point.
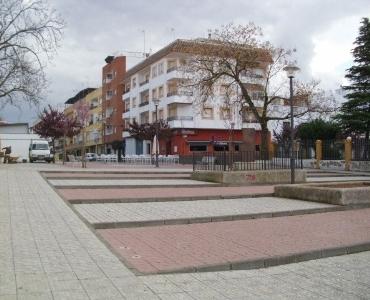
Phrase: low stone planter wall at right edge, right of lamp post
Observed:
(344, 193)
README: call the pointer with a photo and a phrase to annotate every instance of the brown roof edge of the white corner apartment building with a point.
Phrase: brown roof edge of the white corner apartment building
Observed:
(187, 46)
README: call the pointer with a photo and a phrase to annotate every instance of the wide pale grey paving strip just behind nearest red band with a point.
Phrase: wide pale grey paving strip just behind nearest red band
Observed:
(188, 210)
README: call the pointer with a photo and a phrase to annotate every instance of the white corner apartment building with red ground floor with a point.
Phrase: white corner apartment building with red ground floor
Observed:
(160, 76)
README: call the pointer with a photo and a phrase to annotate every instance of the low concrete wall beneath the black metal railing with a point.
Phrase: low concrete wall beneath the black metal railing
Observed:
(249, 177)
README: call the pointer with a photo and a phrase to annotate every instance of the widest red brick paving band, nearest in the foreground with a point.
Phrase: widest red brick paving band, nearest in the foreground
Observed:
(166, 248)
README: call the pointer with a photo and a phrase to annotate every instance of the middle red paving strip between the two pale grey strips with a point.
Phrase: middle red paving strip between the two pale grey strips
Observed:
(129, 193)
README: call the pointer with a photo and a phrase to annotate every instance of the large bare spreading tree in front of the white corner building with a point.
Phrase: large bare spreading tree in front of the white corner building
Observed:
(250, 73)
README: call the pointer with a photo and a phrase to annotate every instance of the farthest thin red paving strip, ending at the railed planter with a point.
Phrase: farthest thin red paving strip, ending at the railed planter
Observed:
(107, 175)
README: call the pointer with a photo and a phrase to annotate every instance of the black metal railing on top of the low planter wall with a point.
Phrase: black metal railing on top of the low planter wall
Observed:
(244, 160)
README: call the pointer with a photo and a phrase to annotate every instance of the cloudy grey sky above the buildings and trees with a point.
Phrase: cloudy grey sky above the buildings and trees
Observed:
(322, 31)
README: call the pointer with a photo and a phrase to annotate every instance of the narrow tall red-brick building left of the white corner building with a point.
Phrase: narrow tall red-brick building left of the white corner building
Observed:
(113, 74)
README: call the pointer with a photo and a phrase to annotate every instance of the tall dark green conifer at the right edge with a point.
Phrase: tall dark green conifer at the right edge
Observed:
(354, 115)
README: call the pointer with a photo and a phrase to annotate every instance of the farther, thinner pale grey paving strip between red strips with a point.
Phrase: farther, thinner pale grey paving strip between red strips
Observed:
(127, 182)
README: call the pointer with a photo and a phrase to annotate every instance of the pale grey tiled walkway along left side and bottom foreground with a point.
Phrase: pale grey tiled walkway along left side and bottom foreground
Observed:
(48, 252)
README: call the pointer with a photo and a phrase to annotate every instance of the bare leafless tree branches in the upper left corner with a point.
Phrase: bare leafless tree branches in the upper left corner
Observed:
(30, 33)
